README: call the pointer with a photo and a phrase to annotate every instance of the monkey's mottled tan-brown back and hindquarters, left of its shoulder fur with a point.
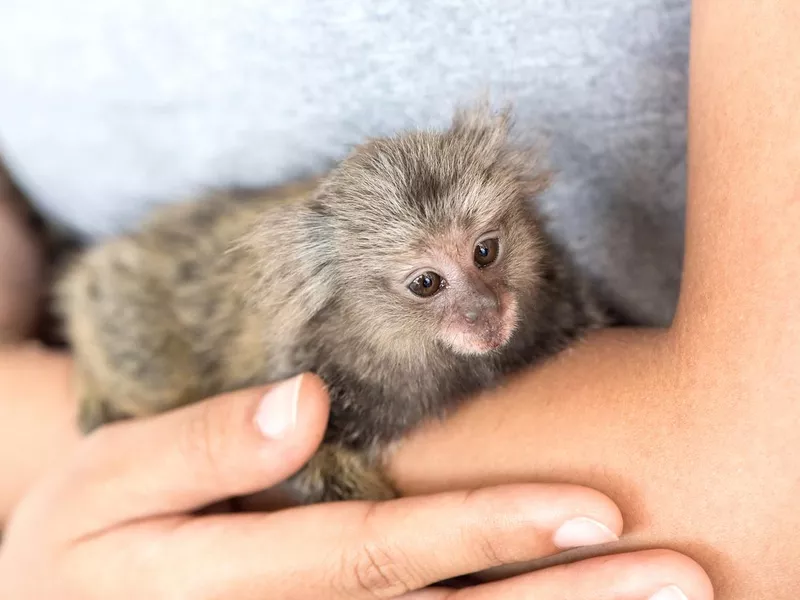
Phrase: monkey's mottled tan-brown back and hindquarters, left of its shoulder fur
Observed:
(159, 317)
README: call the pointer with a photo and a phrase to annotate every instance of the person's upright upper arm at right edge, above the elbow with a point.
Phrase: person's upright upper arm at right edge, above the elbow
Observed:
(742, 250)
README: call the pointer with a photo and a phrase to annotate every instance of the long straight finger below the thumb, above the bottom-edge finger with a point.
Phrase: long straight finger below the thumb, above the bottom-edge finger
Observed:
(383, 550)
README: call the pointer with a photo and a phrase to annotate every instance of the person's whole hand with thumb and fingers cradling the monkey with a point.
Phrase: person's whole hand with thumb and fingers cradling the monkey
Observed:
(119, 519)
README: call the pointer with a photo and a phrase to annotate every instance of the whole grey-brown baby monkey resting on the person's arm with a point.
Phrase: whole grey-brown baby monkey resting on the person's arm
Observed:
(415, 274)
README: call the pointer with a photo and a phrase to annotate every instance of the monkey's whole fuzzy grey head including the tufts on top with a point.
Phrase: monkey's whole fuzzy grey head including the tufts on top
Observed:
(433, 236)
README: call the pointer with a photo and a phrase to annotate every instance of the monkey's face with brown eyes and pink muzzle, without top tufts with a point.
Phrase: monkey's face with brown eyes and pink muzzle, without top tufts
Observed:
(454, 268)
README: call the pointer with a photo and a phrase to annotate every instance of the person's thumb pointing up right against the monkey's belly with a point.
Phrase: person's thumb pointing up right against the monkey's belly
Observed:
(179, 461)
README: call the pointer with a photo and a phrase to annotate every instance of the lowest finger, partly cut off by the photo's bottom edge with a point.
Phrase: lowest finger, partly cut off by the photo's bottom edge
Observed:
(644, 575)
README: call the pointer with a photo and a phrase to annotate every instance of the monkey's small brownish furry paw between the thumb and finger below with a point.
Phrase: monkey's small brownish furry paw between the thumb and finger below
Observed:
(336, 473)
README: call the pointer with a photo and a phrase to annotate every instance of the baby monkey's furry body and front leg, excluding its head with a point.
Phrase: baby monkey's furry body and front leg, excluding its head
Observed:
(192, 305)
